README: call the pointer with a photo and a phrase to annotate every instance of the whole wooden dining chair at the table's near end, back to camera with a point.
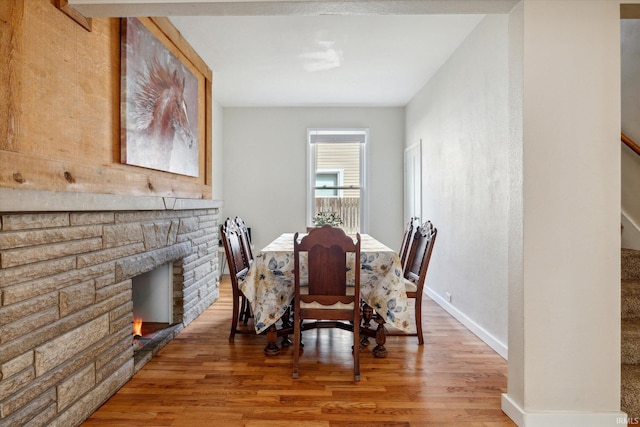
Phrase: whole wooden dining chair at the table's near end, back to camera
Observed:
(327, 296)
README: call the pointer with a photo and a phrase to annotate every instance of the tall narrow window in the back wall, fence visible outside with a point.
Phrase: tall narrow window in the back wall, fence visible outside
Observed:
(337, 179)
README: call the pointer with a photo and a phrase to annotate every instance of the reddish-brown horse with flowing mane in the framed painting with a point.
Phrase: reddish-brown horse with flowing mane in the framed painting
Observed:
(160, 114)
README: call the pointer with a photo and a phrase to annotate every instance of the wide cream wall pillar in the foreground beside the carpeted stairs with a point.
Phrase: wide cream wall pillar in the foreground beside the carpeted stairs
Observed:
(565, 298)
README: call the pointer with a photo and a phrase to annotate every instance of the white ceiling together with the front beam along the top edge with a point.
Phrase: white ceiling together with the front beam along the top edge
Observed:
(314, 52)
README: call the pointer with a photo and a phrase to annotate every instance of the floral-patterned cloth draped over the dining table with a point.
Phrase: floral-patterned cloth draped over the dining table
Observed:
(269, 284)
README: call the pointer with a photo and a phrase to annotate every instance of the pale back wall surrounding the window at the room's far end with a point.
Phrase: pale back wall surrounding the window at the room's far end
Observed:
(265, 167)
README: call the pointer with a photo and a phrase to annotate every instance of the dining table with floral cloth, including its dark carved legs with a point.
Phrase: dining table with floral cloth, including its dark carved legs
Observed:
(269, 289)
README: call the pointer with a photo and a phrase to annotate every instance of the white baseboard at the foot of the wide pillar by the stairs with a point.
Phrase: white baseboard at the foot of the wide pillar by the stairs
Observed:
(561, 419)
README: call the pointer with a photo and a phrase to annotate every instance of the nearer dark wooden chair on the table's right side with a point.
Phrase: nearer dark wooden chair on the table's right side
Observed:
(415, 272)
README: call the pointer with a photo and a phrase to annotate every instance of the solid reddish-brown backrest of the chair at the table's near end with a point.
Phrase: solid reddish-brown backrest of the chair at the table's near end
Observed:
(327, 248)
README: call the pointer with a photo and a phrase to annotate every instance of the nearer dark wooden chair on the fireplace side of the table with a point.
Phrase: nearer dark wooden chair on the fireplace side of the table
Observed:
(238, 269)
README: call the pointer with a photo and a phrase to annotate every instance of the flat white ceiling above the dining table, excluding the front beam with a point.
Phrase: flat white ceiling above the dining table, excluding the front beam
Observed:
(323, 60)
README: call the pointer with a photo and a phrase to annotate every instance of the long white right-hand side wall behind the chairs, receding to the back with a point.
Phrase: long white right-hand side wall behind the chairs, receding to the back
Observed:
(461, 115)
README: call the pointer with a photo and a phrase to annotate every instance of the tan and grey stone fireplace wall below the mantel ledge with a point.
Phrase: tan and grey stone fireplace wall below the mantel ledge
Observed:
(66, 305)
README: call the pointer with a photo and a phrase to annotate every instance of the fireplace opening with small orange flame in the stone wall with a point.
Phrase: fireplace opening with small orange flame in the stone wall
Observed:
(153, 328)
